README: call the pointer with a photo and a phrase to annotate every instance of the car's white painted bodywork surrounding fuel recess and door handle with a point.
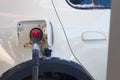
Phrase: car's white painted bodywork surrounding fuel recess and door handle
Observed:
(91, 54)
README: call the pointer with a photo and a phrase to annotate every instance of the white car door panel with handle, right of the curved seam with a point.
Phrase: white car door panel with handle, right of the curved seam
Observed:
(91, 53)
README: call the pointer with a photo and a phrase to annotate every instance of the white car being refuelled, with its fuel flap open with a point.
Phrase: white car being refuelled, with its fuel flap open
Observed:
(77, 32)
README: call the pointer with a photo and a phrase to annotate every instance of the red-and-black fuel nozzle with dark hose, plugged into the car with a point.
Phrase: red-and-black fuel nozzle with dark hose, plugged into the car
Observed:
(35, 36)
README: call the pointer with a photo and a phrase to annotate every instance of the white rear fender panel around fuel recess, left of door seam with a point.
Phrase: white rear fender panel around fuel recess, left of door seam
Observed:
(12, 12)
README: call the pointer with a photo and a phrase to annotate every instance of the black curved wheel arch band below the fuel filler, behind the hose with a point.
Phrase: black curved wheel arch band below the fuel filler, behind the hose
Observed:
(24, 70)
